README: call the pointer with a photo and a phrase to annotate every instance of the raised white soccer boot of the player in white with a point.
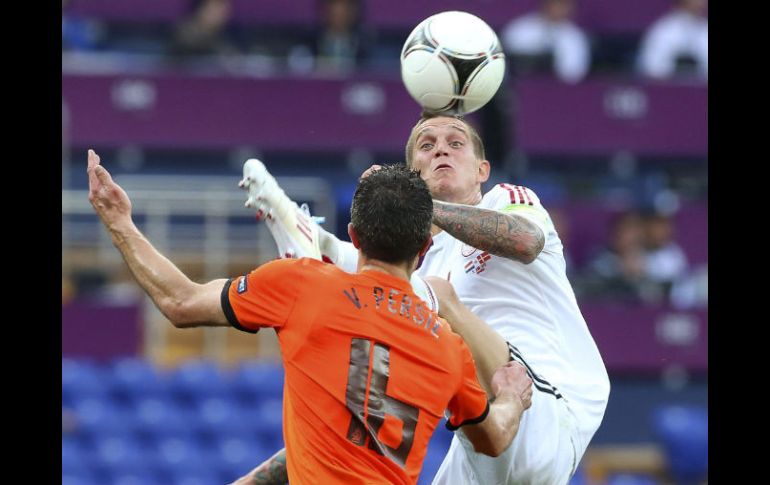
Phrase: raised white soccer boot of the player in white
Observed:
(294, 230)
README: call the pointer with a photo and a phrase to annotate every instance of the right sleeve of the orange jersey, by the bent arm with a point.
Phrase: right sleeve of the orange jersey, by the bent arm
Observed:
(469, 405)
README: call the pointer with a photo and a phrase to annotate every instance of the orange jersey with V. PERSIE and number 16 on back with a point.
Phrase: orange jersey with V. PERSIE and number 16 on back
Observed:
(369, 370)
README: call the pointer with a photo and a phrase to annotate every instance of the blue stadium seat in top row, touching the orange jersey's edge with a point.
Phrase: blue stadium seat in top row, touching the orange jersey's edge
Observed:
(255, 380)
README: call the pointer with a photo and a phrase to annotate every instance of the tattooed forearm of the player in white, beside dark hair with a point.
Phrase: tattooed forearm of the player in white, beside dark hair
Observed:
(501, 234)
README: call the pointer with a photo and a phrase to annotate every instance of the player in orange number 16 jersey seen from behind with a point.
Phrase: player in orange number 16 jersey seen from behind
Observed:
(369, 368)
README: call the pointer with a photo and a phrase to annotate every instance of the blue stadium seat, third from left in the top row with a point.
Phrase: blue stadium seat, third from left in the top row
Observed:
(196, 380)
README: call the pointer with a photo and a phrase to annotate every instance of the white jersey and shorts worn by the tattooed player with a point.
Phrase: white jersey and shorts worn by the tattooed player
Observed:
(533, 307)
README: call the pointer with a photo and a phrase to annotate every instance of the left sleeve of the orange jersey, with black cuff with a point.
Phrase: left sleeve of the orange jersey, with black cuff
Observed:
(265, 297)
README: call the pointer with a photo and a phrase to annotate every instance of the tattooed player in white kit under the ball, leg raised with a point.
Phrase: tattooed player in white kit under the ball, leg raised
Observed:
(502, 255)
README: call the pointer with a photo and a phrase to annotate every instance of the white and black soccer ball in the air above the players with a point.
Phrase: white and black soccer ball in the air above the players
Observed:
(452, 63)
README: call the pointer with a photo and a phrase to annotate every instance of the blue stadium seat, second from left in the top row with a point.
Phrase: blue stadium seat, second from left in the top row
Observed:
(134, 378)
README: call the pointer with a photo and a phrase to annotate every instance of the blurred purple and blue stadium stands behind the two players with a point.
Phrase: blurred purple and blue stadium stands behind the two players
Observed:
(145, 403)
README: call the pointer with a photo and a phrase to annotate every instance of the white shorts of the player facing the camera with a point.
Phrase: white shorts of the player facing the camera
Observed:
(545, 451)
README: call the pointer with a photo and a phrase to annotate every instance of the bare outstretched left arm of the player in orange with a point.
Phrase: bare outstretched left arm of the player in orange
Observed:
(184, 302)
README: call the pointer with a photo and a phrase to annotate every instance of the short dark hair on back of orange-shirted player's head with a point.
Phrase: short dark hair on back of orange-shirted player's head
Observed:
(391, 213)
